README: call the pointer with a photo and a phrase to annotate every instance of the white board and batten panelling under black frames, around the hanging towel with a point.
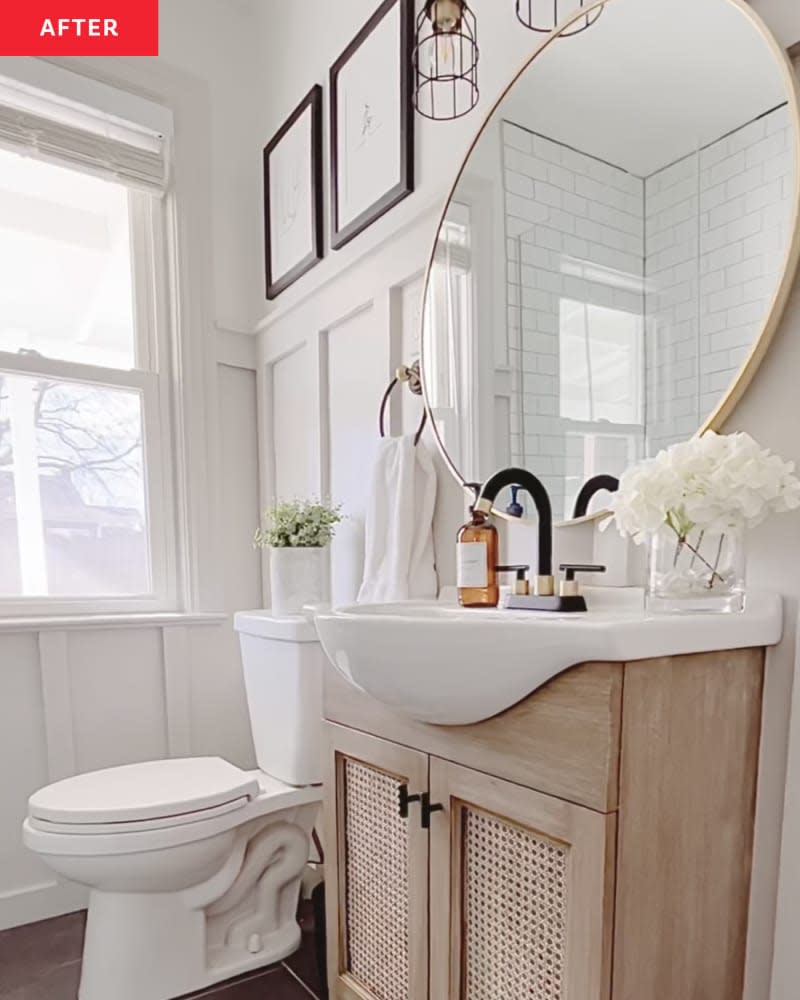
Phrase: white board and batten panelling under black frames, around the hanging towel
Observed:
(323, 366)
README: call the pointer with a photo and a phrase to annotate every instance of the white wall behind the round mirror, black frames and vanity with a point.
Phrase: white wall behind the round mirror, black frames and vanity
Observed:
(351, 304)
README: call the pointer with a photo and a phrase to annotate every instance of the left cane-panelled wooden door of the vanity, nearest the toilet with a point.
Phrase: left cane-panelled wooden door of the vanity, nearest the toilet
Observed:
(377, 869)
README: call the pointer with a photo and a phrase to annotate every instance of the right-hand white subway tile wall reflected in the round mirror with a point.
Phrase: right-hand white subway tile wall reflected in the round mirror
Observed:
(709, 280)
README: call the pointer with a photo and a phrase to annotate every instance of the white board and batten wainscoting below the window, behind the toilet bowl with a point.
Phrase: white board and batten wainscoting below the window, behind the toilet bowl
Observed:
(77, 698)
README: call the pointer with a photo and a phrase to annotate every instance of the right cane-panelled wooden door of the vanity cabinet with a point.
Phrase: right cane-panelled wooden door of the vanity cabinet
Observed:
(521, 892)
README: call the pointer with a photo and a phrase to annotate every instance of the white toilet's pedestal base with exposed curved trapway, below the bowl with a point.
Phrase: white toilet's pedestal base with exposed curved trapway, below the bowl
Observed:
(161, 945)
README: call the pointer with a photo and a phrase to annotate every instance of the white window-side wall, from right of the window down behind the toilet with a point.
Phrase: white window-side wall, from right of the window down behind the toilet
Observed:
(77, 698)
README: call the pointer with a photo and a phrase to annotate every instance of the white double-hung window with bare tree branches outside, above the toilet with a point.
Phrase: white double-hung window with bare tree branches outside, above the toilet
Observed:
(84, 389)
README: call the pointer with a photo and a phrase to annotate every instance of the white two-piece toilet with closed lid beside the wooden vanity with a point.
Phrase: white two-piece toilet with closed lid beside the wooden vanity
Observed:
(194, 865)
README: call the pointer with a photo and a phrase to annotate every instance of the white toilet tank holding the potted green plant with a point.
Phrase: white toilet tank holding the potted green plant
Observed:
(282, 662)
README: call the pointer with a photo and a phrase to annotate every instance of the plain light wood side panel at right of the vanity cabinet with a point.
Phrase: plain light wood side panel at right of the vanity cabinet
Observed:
(690, 739)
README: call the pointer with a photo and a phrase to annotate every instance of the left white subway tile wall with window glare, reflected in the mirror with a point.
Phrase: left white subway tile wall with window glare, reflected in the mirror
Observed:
(579, 274)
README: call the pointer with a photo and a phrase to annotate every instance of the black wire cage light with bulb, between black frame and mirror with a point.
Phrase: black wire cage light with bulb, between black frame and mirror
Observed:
(446, 60)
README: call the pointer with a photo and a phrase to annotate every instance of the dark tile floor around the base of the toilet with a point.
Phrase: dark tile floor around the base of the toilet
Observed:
(42, 962)
